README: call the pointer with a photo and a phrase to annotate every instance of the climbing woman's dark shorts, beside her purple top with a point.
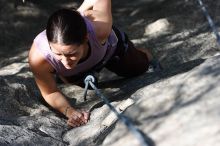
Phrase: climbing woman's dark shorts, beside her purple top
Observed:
(127, 61)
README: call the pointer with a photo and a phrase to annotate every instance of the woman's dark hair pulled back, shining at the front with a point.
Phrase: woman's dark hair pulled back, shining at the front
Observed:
(67, 27)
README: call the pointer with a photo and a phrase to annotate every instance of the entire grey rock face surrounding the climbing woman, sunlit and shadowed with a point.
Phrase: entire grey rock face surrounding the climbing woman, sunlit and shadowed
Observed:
(178, 106)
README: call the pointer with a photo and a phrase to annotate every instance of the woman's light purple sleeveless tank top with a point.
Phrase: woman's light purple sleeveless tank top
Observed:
(98, 51)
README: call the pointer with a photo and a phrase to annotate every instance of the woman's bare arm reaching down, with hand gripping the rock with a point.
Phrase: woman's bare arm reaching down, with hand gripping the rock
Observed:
(46, 83)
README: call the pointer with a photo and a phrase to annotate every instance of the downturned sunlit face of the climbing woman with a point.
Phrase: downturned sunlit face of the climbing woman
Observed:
(69, 55)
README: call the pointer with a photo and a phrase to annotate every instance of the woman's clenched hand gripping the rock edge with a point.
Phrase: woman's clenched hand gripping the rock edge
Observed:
(77, 118)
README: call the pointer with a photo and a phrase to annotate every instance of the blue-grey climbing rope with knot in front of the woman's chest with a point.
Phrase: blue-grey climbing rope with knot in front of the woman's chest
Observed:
(89, 80)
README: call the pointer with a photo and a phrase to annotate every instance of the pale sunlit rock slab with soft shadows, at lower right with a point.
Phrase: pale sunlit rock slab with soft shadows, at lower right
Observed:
(180, 110)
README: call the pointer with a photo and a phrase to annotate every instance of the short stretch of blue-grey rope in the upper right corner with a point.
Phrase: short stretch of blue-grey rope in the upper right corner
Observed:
(210, 21)
